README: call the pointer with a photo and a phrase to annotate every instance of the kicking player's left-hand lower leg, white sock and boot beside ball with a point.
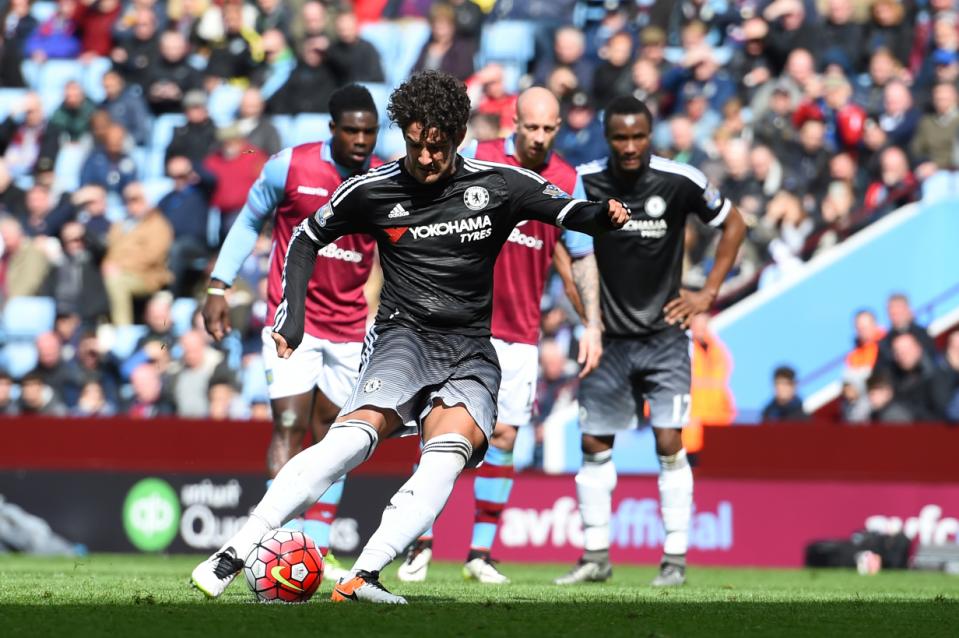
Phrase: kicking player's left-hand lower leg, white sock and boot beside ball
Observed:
(297, 486)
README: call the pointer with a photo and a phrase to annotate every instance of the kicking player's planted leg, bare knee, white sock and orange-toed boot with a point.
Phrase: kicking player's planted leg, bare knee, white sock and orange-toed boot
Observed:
(451, 436)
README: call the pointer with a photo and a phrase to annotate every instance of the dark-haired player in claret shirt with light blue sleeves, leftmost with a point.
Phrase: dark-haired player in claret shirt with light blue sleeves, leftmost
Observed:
(308, 389)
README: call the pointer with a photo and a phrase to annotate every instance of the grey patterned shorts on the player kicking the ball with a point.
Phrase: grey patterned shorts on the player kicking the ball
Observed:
(406, 370)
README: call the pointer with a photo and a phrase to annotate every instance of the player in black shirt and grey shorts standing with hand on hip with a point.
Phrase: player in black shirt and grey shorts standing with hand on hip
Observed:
(645, 343)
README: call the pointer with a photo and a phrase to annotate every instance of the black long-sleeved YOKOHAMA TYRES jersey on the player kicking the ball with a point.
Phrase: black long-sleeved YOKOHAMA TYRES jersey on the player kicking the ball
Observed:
(438, 243)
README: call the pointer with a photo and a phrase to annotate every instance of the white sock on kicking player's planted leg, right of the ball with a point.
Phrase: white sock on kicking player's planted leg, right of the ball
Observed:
(416, 505)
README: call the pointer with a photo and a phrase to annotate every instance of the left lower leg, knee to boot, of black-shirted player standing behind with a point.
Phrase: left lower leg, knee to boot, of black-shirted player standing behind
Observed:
(595, 483)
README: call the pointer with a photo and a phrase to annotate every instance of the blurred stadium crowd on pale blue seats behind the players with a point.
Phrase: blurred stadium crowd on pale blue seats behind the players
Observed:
(119, 179)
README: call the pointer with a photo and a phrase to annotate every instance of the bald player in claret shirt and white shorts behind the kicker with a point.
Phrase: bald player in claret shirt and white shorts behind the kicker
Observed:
(518, 281)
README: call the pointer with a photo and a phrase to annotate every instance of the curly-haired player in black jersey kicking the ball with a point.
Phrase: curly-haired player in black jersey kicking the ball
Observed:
(439, 221)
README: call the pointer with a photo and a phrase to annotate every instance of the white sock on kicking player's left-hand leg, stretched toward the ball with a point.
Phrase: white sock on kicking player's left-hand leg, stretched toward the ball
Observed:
(305, 478)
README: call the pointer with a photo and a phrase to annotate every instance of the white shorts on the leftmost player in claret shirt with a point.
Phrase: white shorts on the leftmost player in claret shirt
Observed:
(317, 363)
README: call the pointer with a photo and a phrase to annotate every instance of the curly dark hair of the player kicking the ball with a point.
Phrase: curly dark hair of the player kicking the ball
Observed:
(434, 100)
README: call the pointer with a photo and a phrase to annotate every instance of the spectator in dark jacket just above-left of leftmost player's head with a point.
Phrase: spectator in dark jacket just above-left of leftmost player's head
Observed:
(311, 83)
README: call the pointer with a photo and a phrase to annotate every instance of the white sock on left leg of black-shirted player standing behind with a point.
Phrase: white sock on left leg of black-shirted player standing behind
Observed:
(595, 483)
